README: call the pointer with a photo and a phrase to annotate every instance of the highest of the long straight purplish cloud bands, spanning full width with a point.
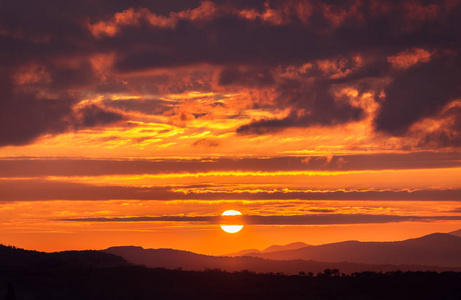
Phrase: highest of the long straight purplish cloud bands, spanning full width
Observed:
(24, 167)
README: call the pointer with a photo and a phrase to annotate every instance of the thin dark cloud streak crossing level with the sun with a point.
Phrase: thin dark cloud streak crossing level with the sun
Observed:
(314, 219)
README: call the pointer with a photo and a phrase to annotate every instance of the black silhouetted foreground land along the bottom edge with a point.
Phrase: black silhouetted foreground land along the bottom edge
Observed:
(136, 282)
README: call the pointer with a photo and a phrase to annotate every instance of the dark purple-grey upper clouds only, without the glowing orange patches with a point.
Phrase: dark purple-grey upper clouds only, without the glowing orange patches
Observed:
(249, 45)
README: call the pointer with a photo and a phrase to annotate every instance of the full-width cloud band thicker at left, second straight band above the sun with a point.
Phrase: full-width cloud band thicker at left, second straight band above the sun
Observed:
(32, 190)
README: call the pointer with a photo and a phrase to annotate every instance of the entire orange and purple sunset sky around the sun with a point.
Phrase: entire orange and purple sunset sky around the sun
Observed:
(140, 122)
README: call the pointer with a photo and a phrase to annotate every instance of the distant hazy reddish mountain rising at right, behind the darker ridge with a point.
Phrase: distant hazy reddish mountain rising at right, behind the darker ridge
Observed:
(438, 249)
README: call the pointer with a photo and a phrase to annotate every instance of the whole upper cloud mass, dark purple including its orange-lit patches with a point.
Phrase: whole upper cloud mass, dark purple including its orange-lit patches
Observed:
(293, 60)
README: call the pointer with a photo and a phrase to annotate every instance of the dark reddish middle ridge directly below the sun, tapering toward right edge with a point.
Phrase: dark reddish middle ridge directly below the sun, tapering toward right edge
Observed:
(177, 259)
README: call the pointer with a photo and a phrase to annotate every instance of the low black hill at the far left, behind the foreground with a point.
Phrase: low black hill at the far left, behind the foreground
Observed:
(16, 257)
